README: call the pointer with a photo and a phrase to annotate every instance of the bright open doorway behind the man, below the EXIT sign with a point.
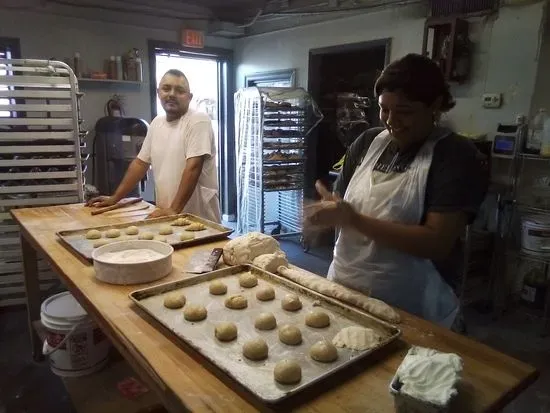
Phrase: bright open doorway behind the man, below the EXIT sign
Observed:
(209, 73)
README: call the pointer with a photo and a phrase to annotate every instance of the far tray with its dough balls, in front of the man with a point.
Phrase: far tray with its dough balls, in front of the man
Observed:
(179, 231)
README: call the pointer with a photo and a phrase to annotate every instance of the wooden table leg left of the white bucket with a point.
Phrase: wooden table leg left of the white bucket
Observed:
(32, 289)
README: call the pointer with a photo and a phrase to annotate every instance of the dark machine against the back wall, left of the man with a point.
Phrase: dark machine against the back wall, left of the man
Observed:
(117, 142)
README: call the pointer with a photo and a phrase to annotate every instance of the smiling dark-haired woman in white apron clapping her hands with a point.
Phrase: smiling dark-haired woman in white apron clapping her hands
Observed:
(408, 193)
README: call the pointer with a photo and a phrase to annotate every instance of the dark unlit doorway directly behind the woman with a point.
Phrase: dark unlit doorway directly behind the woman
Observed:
(341, 80)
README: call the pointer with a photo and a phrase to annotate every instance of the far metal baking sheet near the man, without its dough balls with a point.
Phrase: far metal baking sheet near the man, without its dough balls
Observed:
(77, 242)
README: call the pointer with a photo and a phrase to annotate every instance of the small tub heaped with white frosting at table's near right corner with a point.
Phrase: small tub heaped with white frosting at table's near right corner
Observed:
(426, 381)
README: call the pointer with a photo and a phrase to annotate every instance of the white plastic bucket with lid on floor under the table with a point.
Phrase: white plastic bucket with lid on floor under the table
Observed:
(74, 344)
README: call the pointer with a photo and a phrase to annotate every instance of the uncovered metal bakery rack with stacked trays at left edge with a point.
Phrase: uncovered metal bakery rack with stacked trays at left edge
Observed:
(40, 157)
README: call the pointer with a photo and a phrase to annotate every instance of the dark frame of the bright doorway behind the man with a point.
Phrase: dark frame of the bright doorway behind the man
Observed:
(226, 138)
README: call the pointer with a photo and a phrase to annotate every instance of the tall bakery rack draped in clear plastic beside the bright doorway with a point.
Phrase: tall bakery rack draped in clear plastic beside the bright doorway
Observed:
(271, 125)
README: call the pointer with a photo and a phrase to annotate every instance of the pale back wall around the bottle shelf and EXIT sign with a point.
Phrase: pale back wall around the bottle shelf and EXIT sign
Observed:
(45, 36)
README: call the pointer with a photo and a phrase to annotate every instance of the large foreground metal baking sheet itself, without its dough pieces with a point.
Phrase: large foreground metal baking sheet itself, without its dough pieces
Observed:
(258, 376)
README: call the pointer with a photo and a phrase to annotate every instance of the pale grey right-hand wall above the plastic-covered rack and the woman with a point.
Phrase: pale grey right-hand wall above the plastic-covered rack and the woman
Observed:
(505, 57)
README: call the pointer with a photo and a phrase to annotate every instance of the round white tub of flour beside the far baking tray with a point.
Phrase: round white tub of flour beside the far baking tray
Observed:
(132, 262)
